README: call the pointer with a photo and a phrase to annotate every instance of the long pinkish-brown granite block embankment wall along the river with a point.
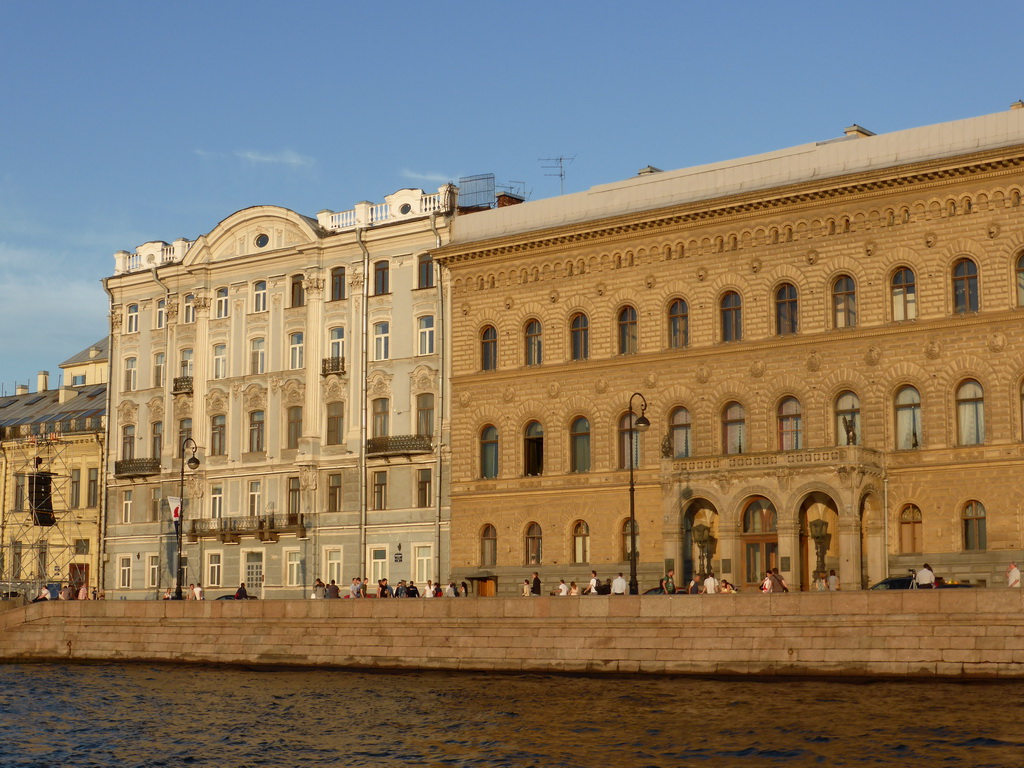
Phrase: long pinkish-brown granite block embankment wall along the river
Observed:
(936, 633)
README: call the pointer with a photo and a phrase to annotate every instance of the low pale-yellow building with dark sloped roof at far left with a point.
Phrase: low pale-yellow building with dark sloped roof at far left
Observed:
(52, 471)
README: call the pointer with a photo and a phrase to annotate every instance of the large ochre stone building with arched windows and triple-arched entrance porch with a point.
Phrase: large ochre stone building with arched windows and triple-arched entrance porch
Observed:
(829, 340)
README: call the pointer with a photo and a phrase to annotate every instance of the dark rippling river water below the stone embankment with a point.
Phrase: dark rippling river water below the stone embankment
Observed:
(112, 715)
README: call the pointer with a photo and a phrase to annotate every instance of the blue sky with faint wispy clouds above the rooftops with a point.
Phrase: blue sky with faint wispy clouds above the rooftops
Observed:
(127, 122)
